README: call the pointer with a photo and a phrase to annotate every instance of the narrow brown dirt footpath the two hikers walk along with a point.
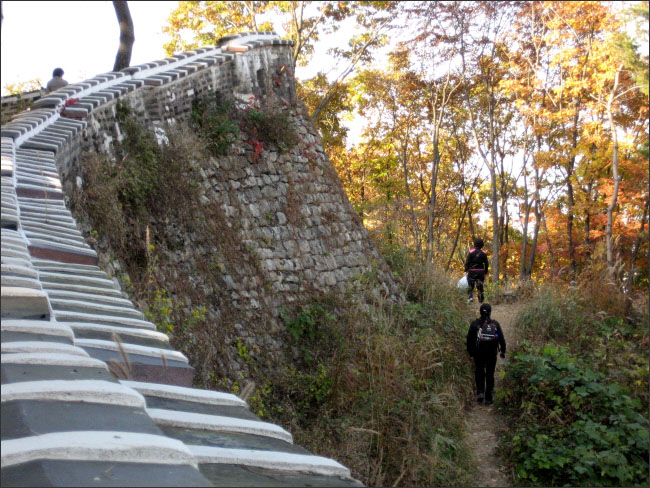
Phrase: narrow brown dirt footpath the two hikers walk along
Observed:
(483, 422)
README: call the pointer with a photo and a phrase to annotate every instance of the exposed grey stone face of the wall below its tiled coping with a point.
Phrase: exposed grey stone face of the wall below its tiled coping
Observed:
(327, 244)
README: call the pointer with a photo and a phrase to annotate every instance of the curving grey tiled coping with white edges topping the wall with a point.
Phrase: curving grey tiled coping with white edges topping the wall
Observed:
(92, 393)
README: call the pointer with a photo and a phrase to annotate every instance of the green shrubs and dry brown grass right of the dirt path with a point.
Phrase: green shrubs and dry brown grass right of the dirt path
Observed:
(574, 394)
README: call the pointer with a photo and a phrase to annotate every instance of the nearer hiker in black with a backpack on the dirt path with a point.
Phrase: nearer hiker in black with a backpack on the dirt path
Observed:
(484, 339)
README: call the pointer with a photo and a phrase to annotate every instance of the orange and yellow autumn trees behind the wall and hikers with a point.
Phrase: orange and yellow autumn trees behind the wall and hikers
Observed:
(525, 123)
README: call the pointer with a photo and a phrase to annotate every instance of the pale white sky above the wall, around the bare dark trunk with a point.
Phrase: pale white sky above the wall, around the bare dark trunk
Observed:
(80, 37)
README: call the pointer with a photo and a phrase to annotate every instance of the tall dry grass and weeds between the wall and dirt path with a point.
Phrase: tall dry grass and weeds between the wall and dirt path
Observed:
(389, 397)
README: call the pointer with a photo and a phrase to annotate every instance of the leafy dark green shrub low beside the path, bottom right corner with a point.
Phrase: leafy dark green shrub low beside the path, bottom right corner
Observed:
(573, 427)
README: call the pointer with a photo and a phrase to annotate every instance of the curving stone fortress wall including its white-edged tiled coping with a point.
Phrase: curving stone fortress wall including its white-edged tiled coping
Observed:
(69, 332)
